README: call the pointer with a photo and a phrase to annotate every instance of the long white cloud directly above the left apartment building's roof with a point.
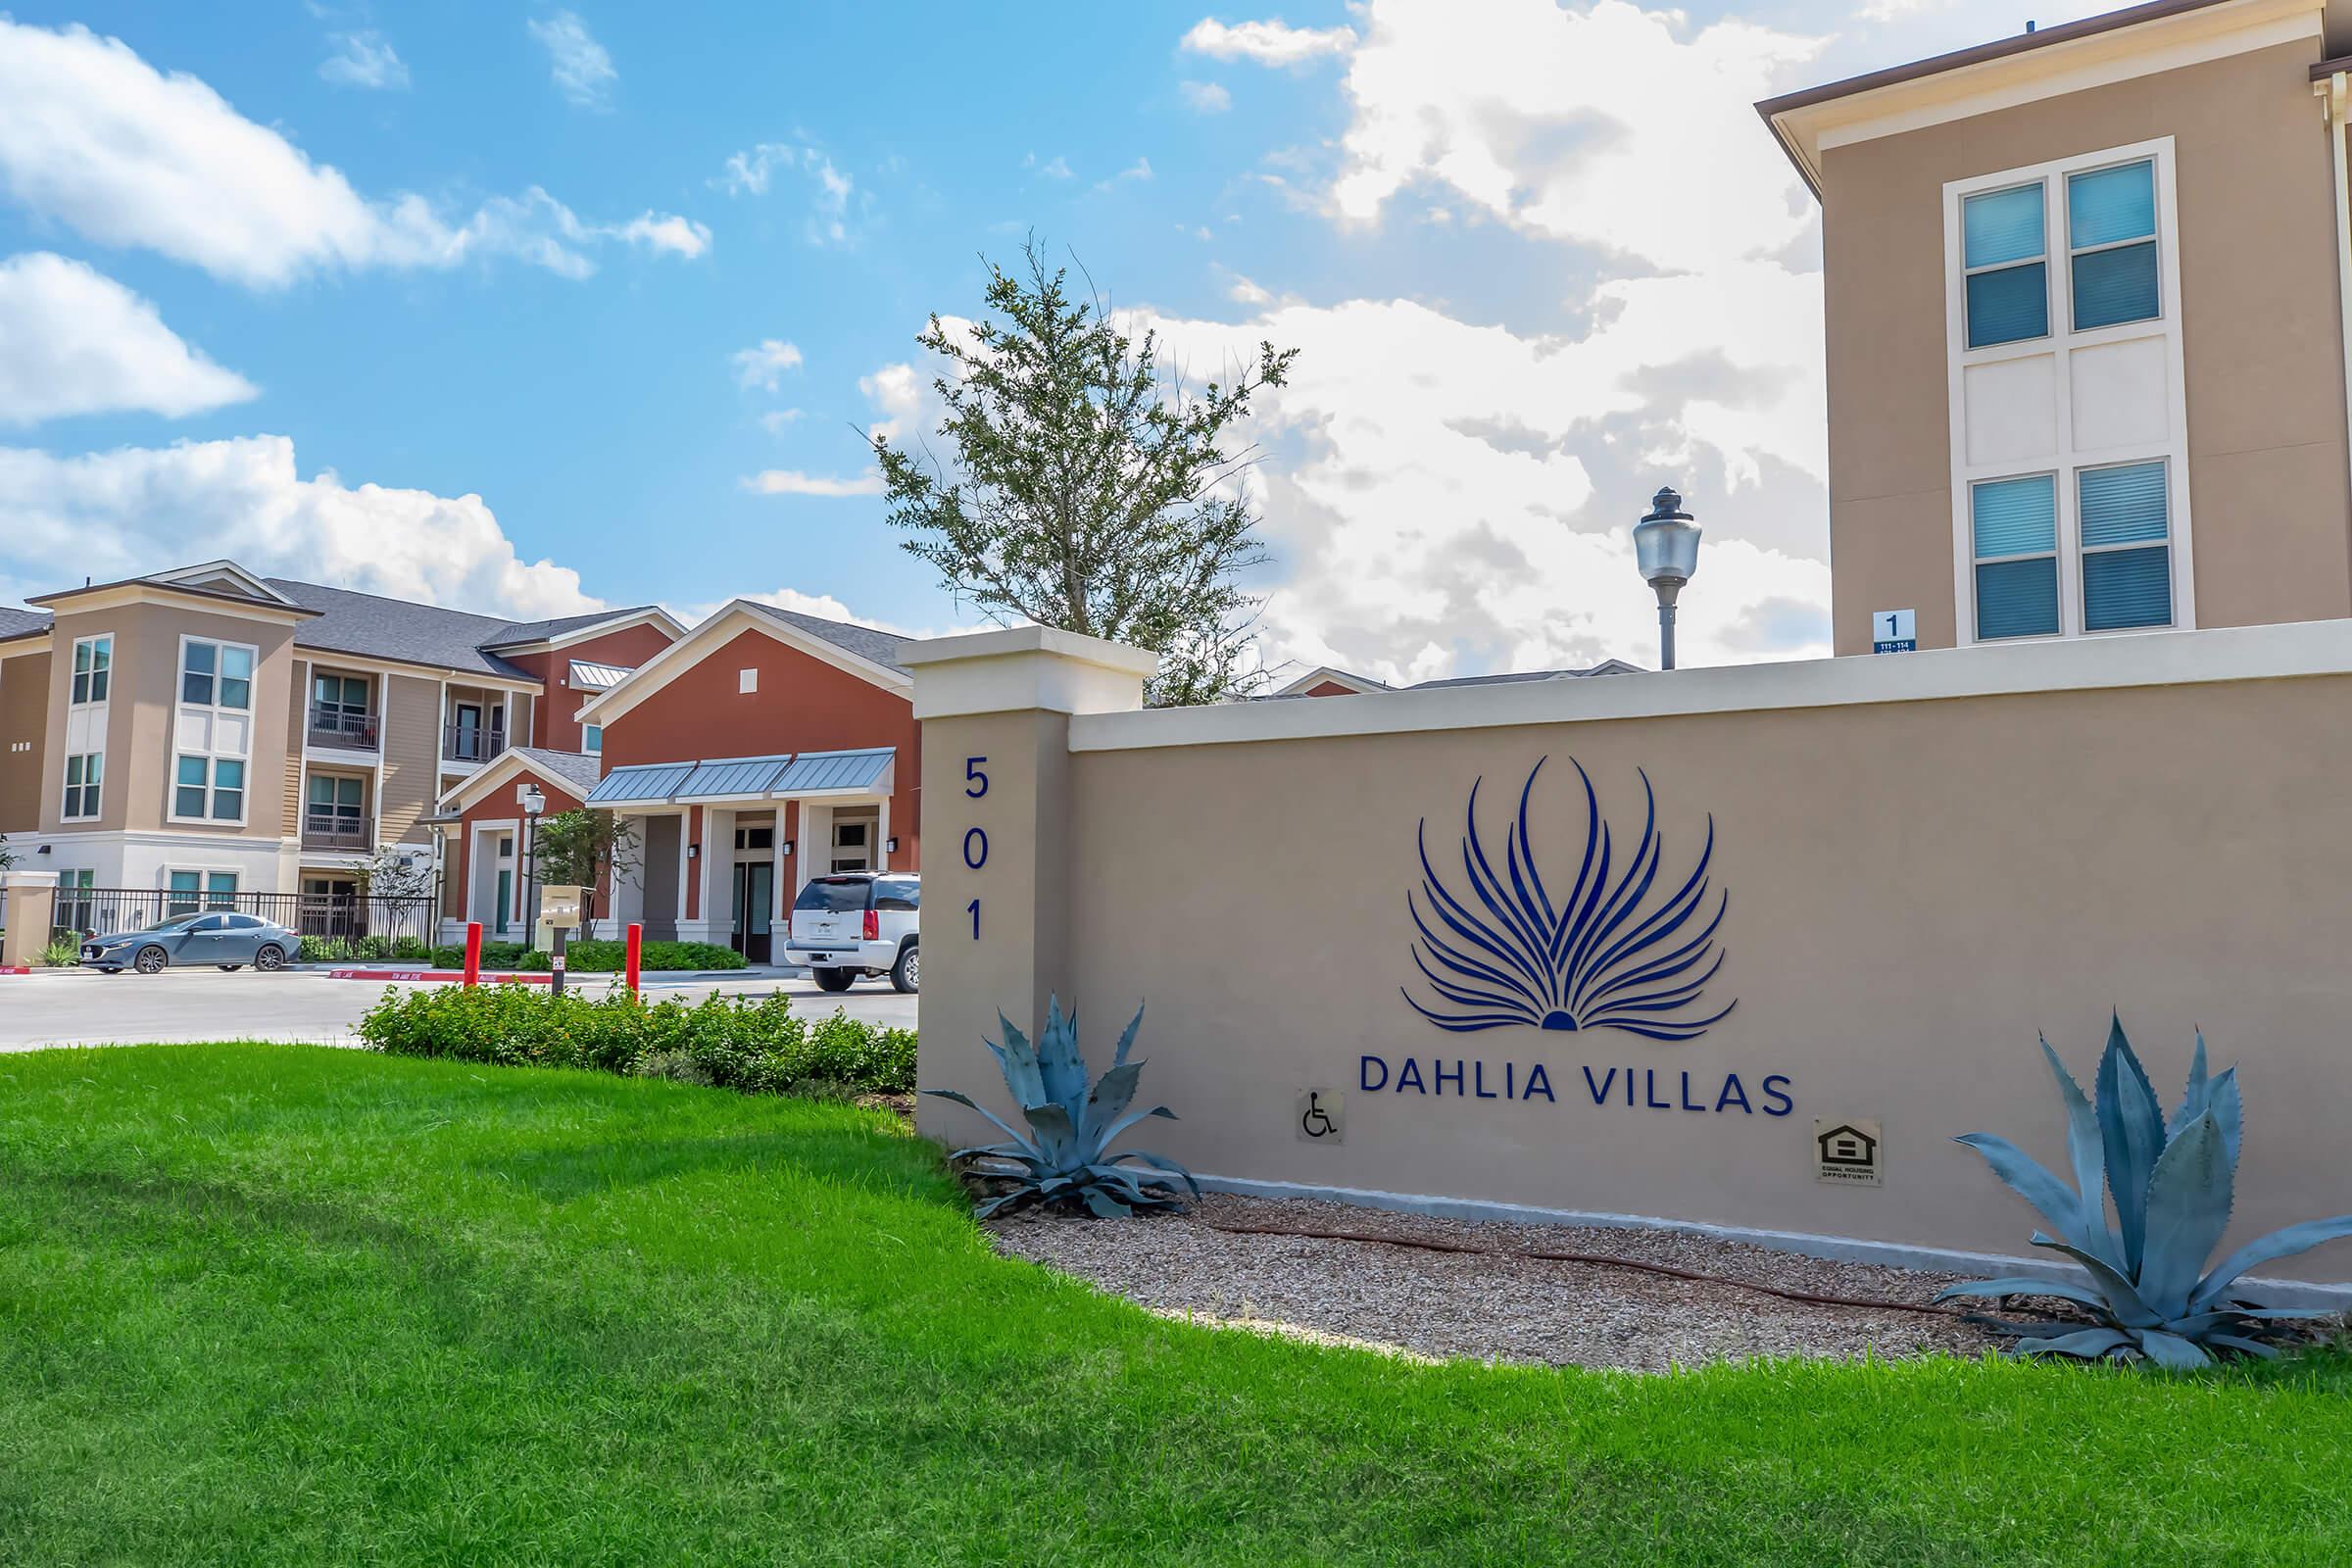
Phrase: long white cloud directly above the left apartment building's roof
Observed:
(138, 509)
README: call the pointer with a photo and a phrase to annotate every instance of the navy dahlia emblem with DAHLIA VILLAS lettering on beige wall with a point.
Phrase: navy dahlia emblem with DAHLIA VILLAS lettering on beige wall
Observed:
(1624, 946)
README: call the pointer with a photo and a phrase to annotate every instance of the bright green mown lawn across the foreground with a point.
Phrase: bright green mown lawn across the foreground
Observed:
(286, 1306)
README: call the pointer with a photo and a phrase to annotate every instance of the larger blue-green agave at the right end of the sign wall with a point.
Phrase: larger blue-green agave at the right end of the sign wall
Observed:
(2149, 1285)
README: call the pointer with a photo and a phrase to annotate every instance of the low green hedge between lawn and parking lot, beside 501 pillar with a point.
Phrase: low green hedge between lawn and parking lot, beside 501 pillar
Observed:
(730, 1043)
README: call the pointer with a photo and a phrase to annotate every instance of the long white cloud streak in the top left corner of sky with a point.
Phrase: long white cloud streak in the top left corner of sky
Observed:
(98, 140)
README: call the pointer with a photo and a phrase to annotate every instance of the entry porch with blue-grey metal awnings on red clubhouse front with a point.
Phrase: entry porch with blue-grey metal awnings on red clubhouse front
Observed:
(728, 843)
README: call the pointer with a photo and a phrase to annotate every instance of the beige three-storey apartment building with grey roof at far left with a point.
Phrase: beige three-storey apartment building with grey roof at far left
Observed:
(208, 732)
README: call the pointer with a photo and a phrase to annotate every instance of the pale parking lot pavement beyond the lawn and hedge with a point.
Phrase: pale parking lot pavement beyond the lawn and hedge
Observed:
(79, 1007)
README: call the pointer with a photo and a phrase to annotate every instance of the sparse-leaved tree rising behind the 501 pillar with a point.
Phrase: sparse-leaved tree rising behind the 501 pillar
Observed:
(1090, 488)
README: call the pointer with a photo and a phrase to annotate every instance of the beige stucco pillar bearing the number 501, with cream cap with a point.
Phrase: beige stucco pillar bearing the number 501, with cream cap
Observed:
(996, 786)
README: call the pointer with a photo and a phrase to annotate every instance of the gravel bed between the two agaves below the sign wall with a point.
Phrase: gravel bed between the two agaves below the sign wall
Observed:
(1488, 1308)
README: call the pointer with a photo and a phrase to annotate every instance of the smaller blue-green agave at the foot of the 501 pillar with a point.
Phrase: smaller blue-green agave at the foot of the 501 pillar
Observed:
(1074, 1123)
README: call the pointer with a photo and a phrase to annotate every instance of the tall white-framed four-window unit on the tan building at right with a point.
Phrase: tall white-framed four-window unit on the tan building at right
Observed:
(2069, 417)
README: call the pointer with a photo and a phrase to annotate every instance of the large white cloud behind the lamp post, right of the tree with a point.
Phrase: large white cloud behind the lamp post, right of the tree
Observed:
(1434, 507)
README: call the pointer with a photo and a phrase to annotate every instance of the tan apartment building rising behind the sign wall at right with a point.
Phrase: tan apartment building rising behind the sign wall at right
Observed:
(2087, 354)
